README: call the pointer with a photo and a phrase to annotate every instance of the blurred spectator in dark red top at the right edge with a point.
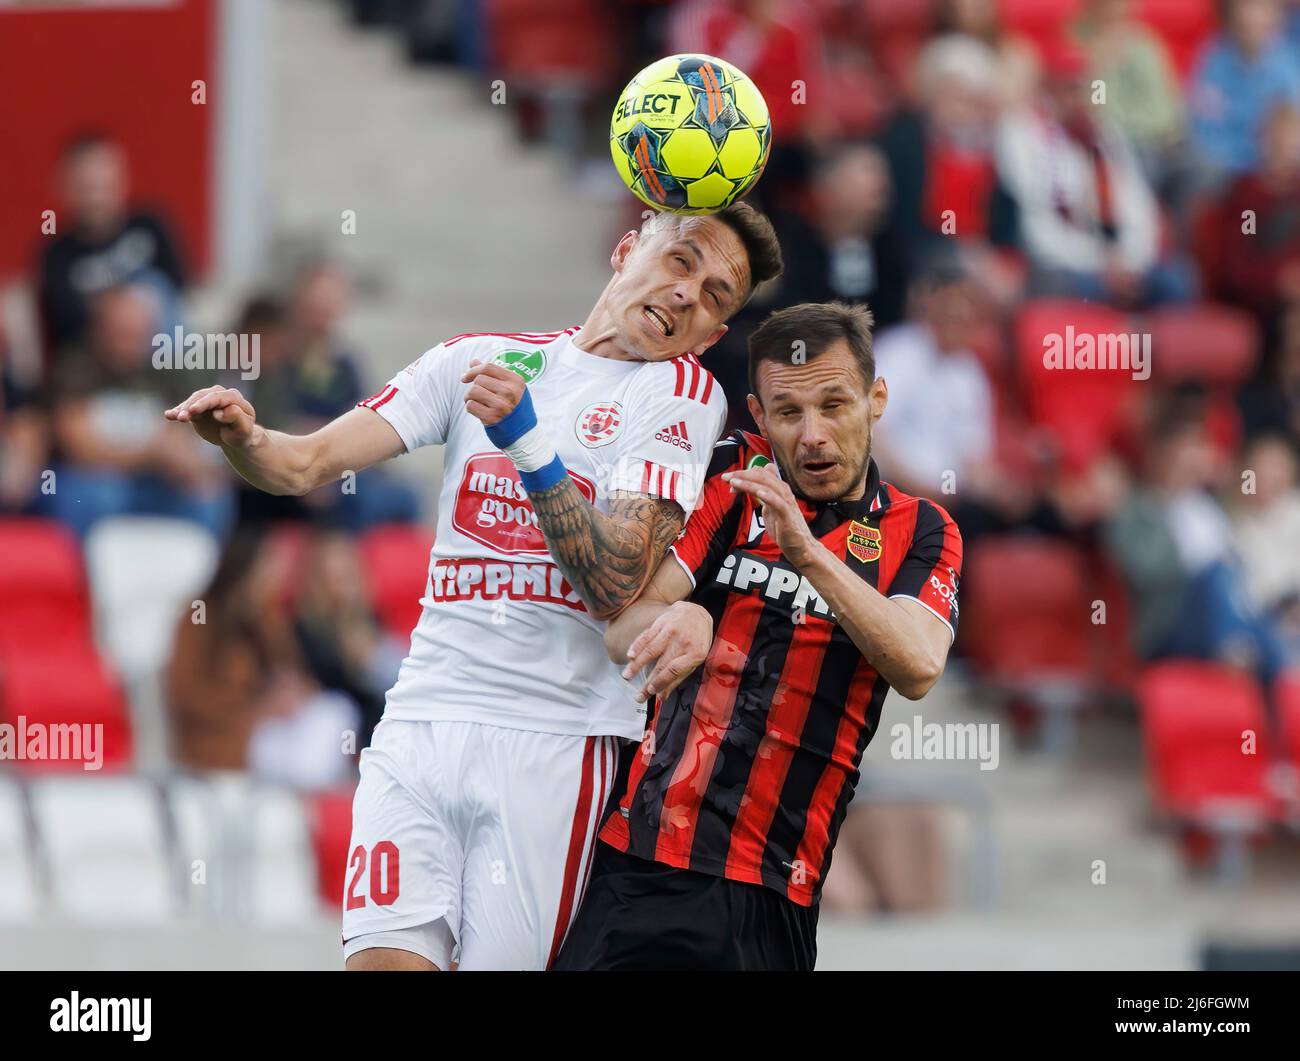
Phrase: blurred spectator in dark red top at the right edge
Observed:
(1256, 255)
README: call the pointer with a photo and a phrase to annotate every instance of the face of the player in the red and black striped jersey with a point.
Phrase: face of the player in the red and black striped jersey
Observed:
(820, 417)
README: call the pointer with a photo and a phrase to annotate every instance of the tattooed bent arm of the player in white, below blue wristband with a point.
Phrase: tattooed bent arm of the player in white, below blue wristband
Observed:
(606, 558)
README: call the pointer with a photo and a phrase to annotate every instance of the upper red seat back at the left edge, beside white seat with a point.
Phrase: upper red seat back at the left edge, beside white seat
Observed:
(45, 601)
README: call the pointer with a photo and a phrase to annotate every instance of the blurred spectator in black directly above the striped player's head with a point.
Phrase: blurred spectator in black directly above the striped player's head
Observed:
(842, 246)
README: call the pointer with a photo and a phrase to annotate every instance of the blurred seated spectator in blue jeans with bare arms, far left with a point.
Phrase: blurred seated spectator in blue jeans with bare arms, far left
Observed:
(115, 452)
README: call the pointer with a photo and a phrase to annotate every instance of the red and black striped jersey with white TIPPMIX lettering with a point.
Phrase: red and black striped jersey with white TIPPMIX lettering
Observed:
(748, 768)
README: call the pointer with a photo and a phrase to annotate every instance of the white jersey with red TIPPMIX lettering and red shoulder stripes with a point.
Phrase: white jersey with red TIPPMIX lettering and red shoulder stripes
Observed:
(504, 639)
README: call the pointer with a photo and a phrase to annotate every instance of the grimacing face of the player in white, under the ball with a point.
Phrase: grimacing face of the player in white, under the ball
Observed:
(674, 289)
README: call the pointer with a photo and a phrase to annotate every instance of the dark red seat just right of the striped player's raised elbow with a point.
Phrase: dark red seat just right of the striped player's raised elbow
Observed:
(1026, 613)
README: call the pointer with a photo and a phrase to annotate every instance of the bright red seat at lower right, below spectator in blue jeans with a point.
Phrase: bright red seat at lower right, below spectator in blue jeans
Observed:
(1195, 718)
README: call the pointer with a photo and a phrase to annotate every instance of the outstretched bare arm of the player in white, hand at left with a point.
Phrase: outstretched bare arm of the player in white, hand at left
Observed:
(283, 464)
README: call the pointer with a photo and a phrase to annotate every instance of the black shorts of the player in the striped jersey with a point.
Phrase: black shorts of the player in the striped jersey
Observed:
(642, 915)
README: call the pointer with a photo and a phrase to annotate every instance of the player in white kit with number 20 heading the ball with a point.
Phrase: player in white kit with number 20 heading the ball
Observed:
(571, 462)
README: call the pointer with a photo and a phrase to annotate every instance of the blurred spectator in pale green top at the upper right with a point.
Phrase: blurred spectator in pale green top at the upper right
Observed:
(1142, 86)
